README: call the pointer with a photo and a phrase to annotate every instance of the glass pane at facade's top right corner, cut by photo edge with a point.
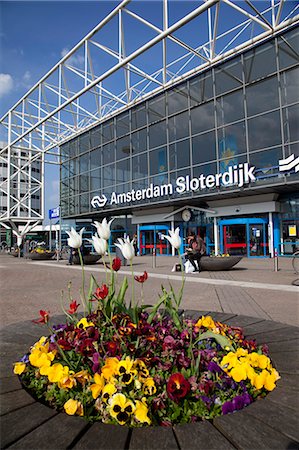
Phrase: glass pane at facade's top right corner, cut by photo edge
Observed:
(288, 49)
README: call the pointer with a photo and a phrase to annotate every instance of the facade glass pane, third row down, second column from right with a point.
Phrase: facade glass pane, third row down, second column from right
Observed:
(264, 131)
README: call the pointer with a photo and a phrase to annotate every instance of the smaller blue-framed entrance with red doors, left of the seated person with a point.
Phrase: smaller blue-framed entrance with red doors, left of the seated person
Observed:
(151, 238)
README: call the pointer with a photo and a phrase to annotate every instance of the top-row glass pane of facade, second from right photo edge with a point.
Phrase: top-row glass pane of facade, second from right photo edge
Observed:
(260, 62)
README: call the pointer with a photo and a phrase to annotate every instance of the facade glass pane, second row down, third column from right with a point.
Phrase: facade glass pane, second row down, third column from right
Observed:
(230, 108)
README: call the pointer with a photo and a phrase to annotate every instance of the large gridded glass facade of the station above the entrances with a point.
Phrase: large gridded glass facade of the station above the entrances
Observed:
(243, 110)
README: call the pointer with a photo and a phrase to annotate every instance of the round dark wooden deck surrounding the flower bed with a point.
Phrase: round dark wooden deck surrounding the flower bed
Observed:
(272, 423)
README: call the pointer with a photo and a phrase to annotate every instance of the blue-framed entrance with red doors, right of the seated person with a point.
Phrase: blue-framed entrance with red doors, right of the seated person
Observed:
(244, 237)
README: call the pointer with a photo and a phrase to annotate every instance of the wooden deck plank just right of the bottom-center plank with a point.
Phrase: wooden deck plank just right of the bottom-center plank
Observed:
(193, 436)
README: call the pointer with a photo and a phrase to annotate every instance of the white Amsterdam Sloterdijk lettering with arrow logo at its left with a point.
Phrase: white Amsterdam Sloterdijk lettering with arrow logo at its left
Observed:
(238, 175)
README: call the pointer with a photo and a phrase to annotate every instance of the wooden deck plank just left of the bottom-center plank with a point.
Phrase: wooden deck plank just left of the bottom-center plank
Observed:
(106, 437)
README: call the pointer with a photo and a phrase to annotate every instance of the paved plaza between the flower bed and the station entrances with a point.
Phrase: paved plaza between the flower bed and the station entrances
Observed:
(251, 288)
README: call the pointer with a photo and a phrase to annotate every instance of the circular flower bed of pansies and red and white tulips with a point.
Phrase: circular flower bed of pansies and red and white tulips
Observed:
(136, 365)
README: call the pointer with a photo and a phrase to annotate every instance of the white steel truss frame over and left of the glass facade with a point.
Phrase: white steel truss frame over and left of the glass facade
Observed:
(78, 92)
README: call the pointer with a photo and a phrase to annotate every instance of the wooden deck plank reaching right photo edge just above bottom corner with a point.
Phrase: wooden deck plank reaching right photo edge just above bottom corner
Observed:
(279, 417)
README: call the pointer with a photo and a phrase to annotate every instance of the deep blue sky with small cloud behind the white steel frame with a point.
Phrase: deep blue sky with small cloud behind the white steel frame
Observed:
(34, 35)
